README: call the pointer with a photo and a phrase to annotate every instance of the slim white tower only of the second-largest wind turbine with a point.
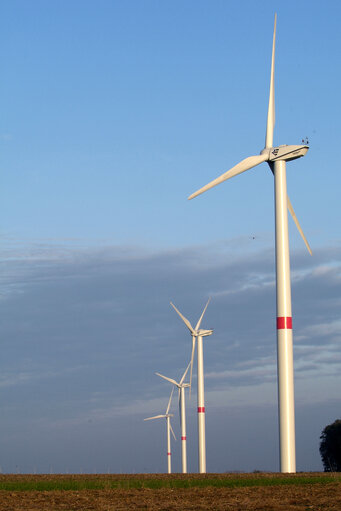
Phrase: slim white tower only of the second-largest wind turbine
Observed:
(201, 409)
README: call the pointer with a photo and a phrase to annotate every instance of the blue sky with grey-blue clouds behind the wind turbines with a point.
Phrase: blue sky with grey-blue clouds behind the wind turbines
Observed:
(112, 113)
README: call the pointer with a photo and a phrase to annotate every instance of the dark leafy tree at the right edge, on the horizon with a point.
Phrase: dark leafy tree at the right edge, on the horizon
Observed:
(330, 447)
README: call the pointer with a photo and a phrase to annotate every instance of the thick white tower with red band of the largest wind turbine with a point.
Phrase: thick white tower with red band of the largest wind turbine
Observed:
(286, 405)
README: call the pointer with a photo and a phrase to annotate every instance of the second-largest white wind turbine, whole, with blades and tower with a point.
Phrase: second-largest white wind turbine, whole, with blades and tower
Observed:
(198, 334)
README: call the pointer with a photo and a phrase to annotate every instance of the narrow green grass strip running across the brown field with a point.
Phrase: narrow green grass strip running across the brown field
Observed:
(155, 484)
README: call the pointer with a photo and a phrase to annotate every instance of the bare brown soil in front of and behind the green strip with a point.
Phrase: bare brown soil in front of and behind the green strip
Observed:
(314, 497)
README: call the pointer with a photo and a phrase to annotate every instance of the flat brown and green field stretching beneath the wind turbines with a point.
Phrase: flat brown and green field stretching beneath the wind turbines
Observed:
(261, 492)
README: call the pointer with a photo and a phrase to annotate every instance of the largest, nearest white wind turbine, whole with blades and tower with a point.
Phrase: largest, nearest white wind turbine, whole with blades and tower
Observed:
(276, 157)
